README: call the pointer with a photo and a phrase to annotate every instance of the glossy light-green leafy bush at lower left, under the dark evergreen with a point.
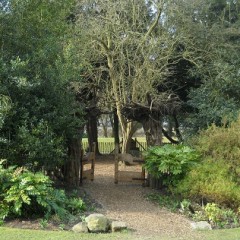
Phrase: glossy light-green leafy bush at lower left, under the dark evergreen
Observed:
(24, 193)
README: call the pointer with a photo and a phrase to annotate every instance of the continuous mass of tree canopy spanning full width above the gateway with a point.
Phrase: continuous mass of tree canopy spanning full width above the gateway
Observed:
(151, 62)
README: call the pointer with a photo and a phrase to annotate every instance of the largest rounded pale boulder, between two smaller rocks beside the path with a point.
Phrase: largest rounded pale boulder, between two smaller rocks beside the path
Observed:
(97, 223)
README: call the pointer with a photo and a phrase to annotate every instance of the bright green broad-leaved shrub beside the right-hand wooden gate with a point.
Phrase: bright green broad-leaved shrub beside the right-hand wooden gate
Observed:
(170, 163)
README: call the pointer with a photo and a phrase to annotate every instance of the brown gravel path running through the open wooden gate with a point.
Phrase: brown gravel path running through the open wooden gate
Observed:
(127, 202)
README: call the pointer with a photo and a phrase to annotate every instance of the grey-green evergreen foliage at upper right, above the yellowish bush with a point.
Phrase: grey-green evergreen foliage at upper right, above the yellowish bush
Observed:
(217, 97)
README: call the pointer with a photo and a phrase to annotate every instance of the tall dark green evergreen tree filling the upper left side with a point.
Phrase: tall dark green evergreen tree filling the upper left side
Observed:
(43, 126)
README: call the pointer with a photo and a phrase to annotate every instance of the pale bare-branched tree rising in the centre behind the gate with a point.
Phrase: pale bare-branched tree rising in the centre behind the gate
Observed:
(133, 42)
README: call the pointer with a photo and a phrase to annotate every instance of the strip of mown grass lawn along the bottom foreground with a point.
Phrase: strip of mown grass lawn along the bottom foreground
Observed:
(22, 234)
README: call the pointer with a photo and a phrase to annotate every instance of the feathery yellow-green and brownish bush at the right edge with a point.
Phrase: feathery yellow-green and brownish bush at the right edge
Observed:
(216, 179)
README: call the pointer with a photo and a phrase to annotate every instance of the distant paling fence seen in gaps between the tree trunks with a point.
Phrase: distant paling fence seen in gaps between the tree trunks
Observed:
(106, 145)
